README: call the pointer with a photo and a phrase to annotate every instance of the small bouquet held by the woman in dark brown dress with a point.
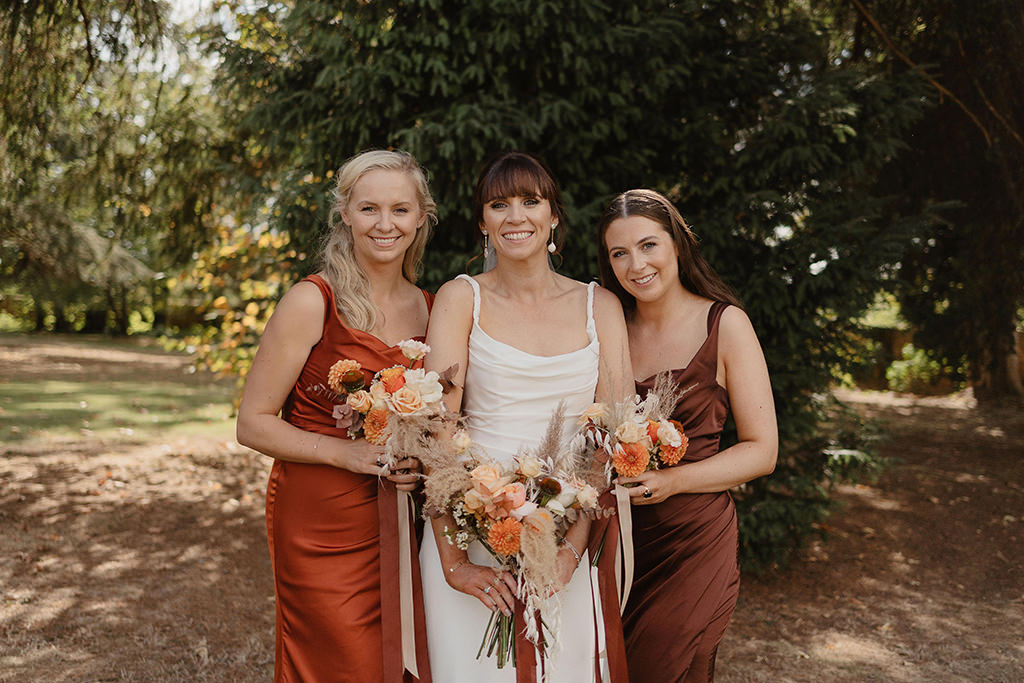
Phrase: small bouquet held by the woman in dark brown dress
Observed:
(635, 436)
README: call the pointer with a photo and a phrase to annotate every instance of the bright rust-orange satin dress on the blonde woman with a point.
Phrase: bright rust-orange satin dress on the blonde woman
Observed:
(323, 529)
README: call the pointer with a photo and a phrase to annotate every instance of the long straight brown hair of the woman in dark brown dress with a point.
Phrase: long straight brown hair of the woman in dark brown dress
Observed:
(695, 273)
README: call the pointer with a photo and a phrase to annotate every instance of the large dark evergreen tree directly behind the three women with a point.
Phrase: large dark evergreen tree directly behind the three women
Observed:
(743, 112)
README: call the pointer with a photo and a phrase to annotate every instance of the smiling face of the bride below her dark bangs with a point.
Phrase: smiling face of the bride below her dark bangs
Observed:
(519, 227)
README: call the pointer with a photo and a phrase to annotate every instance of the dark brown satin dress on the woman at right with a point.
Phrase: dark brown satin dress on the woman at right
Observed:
(687, 579)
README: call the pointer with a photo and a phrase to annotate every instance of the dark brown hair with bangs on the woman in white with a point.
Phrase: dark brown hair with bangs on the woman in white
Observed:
(519, 175)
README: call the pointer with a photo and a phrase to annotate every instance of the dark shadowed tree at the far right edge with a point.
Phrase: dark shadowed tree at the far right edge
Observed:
(962, 285)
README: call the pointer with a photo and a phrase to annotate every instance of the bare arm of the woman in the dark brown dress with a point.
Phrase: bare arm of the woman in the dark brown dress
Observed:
(742, 366)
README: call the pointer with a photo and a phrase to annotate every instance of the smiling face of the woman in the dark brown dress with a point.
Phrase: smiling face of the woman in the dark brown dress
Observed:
(644, 258)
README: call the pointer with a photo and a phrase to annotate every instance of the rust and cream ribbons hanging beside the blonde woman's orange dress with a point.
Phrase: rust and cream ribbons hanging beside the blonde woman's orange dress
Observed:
(404, 629)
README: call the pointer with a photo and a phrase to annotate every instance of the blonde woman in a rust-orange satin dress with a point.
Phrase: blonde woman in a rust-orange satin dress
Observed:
(322, 516)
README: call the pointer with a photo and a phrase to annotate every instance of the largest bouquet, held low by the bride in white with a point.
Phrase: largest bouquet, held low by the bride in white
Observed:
(521, 515)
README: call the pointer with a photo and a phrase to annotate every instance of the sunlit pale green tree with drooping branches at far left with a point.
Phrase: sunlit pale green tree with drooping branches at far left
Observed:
(105, 167)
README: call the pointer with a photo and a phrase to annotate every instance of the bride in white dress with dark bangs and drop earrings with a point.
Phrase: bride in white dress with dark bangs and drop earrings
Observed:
(523, 339)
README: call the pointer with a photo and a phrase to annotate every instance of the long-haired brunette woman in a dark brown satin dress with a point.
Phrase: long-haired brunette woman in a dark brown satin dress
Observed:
(681, 318)
